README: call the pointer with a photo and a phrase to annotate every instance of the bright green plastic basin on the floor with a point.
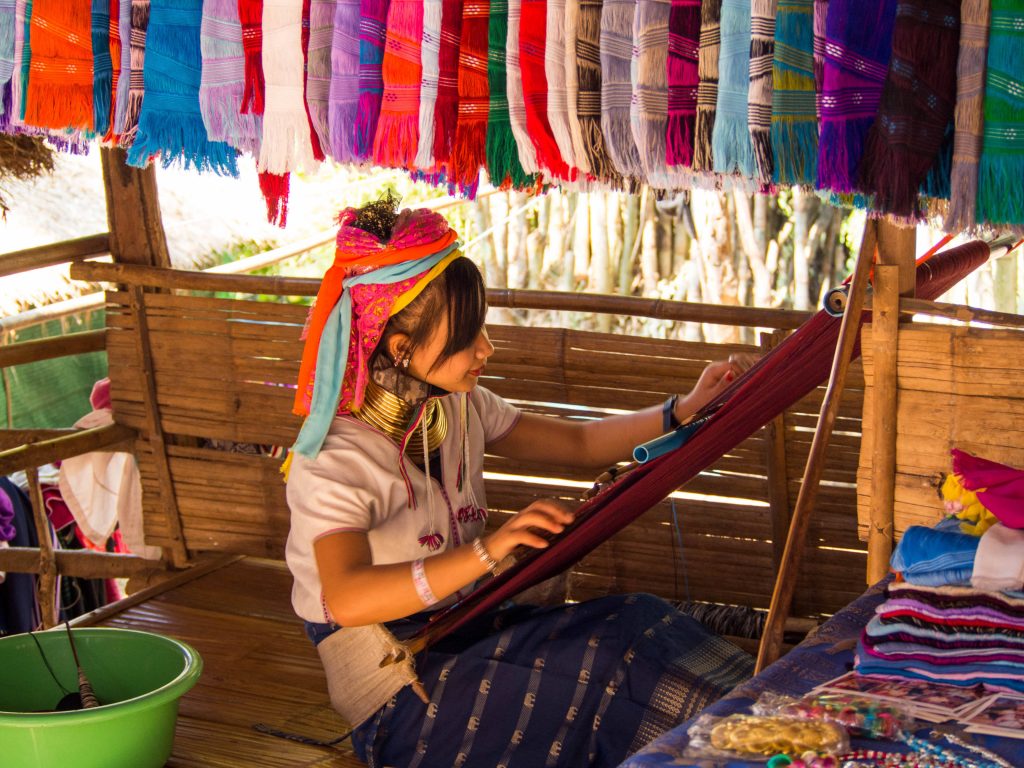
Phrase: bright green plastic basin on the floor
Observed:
(139, 678)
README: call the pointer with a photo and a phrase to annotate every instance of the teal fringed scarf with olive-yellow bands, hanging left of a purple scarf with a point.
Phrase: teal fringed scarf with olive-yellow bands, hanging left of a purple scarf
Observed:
(794, 120)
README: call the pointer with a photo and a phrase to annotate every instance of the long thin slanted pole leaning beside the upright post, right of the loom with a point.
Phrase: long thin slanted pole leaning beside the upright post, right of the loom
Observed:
(786, 584)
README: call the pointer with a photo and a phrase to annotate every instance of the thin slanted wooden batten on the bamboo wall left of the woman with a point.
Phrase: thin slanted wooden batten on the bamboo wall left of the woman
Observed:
(155, 430)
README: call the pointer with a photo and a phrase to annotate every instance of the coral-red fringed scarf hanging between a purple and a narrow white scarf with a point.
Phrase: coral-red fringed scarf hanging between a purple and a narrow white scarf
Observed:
(396, 142)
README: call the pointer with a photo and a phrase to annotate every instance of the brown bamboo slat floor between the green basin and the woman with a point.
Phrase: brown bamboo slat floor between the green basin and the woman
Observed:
(259, 668)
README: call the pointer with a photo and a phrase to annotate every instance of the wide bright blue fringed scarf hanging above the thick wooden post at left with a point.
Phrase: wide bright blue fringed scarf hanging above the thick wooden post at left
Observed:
(170, 125)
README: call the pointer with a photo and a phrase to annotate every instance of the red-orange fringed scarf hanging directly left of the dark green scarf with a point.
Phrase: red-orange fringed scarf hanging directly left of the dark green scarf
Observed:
(471, 149)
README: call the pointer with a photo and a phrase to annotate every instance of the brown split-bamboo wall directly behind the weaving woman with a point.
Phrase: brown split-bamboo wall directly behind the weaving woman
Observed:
(225, 370)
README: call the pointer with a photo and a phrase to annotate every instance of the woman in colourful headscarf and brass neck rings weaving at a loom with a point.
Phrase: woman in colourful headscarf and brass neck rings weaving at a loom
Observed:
(389, 514)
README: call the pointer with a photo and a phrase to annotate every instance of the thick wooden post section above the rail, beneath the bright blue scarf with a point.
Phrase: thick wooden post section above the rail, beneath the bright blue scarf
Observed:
(134, 211)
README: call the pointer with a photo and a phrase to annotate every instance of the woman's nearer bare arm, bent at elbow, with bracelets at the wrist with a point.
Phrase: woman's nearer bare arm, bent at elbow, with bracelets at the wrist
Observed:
(358, 592)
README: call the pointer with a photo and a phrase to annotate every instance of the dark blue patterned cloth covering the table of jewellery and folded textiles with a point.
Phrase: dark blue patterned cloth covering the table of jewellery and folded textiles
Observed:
(826, 655)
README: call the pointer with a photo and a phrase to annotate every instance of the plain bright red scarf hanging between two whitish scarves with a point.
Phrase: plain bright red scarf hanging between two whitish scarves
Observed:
(533, 31)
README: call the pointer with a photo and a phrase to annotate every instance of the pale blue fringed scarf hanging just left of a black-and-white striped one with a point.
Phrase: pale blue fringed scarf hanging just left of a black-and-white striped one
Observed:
(732, 145)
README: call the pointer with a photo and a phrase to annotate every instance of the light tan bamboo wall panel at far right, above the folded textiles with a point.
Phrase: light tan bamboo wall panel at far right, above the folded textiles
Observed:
(957, 388)
